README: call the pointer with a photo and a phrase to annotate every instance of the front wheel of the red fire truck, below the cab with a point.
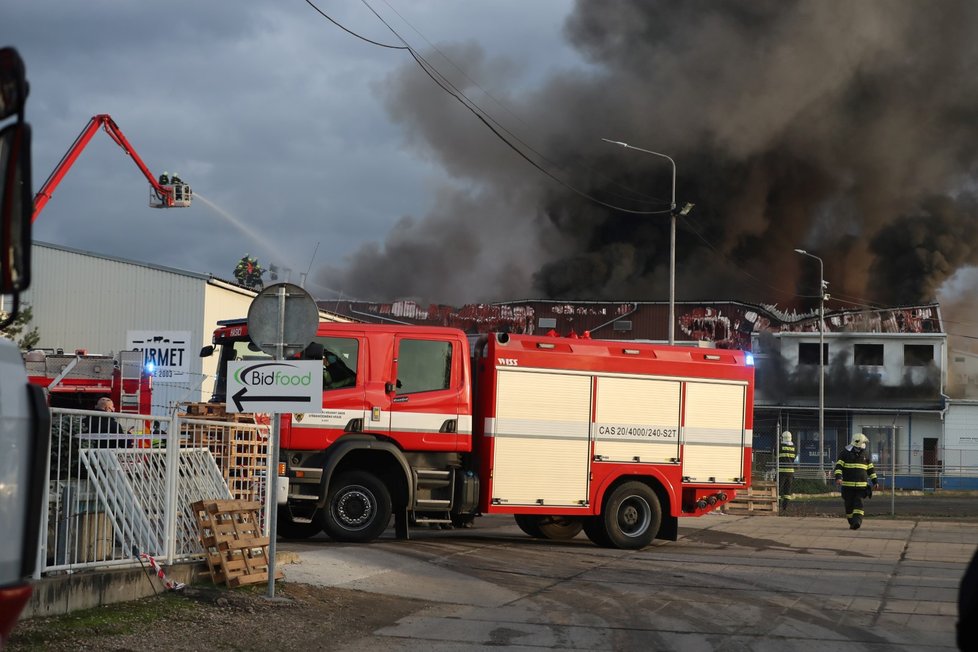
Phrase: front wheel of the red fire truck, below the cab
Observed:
(358, 508)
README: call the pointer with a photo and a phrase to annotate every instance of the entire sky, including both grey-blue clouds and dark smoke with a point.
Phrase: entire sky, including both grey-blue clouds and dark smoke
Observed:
(845, 128)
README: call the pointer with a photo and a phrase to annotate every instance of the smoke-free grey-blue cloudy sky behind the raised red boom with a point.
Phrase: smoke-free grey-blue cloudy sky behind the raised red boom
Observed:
(270, 112)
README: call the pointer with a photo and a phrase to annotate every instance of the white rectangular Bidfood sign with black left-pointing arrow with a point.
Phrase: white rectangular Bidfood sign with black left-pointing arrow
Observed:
(275, 386)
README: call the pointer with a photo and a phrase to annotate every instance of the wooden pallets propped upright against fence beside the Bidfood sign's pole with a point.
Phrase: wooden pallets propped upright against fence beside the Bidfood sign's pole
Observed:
(235, 551)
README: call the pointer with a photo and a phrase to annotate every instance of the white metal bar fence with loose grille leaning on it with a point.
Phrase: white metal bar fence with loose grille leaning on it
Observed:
(123, 485)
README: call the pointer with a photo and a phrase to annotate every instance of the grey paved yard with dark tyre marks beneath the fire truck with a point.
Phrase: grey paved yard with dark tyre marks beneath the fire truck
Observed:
(729, 583)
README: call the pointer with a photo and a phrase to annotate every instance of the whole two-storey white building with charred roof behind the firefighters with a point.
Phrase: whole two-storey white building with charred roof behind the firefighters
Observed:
(885, 374)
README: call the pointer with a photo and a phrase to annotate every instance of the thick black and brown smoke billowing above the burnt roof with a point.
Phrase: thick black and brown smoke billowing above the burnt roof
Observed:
(846, 128)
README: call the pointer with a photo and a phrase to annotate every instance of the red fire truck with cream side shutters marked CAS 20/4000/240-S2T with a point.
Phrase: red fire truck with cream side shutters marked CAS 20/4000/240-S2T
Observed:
(619, 439)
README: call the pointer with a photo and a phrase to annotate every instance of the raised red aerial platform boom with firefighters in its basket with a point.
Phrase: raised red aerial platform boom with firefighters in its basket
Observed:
(165, 193)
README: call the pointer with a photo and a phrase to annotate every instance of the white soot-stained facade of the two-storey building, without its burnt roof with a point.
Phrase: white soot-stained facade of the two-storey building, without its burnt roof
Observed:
(887, 385)
